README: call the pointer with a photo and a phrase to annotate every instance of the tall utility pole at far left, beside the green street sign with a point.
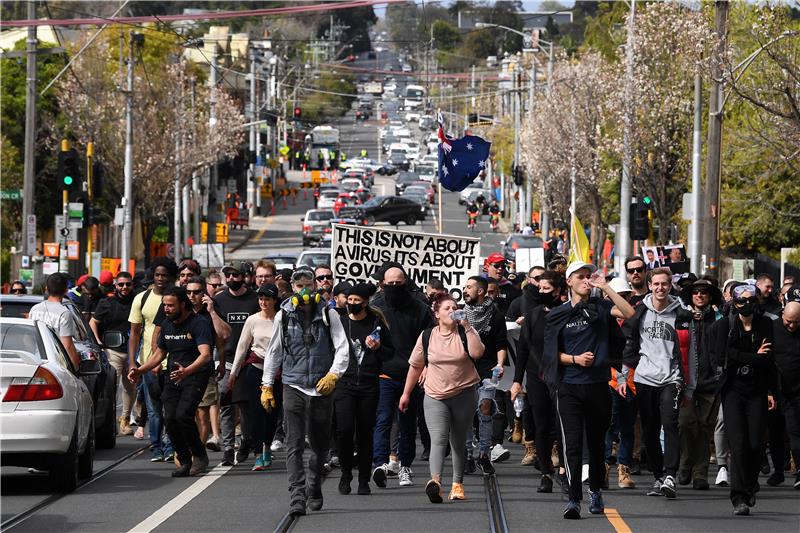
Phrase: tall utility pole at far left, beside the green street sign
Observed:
(30, 136)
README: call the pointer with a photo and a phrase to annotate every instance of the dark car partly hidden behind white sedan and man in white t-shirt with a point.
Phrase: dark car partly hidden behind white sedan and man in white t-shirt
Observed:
(102, 384)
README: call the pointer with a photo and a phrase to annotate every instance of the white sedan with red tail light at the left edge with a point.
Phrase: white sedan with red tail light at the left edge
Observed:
(47, 412)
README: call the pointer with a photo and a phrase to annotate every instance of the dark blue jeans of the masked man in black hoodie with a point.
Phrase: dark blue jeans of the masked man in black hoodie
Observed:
(389, 393)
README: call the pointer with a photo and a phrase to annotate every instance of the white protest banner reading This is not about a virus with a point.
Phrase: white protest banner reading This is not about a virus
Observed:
(358, 251)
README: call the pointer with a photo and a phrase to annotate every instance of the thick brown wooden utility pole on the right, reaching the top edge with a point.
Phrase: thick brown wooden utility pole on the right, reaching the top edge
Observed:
(713, 153)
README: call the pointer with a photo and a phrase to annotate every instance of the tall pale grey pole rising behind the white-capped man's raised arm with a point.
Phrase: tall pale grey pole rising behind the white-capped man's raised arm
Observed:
(623, 236)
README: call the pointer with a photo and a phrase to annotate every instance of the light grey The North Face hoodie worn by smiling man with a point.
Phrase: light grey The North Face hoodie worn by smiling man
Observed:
(658, 365)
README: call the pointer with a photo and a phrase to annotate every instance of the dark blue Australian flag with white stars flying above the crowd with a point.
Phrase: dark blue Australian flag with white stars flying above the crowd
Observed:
(461, 160)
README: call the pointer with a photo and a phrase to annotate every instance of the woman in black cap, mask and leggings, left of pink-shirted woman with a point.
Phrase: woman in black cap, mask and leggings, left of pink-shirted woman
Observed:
(356, 395)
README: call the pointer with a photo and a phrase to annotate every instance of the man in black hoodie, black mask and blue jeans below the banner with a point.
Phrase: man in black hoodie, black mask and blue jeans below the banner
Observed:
(407, 318)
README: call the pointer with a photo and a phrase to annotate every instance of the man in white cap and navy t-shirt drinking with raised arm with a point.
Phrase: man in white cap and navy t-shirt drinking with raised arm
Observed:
(576, 364)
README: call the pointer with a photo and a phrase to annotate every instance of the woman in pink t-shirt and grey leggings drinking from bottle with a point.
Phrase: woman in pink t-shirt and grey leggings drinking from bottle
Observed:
(449, 377)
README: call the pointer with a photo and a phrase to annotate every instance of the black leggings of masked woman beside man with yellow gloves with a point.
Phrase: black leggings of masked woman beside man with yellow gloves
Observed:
(355, 416)
